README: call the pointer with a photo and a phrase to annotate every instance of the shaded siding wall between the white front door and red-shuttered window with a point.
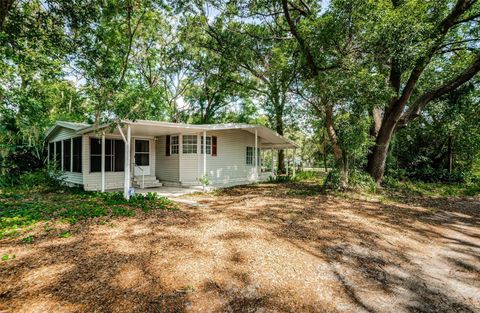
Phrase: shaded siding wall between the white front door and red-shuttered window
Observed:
(166, 168)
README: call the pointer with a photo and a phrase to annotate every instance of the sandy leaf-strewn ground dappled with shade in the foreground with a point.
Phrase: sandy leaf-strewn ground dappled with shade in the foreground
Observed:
(267, 248)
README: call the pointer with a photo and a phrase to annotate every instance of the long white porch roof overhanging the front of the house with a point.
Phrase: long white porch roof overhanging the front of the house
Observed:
(271, 139)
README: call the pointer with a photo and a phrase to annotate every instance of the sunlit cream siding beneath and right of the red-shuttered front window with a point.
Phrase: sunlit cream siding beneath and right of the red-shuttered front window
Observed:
(228, 167)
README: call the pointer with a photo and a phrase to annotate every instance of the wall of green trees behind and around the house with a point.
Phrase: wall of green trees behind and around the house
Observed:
(387, 86)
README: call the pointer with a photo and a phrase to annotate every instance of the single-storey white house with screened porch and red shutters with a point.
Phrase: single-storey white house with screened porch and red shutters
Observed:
(156, 153)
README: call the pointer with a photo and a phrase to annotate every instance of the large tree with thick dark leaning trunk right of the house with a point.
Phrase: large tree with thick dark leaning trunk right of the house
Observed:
(415, 50)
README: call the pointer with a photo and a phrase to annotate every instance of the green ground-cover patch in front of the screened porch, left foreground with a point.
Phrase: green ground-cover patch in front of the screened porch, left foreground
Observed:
(21, 209)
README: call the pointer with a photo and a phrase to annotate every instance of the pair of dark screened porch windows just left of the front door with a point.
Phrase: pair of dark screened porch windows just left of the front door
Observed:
(114, 155)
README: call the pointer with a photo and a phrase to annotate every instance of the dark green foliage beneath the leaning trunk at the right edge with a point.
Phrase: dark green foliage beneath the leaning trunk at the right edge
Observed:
(421, 152)
